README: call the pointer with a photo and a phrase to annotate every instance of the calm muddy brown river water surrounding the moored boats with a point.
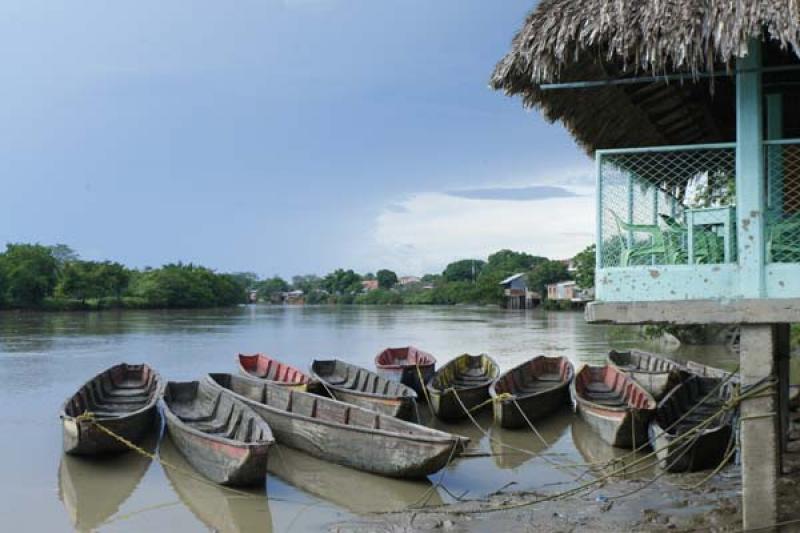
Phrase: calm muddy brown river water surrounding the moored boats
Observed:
(45, 357)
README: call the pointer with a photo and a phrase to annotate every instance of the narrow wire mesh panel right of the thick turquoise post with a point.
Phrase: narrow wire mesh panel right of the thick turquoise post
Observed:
(782, 214)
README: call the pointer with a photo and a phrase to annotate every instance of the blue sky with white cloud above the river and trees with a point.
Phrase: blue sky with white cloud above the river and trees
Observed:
(278, 136)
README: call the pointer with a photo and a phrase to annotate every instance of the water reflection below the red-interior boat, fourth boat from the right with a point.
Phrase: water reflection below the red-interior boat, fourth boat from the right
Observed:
(552, 429)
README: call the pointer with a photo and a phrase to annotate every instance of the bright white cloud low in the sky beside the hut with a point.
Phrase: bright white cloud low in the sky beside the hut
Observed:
(428, 230)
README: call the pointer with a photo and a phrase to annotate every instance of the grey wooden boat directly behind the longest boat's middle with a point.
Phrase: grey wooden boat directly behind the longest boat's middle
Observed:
(356, 385)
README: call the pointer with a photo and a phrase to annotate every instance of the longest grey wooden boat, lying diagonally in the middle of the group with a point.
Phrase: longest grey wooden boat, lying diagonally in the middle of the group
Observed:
(343, 433)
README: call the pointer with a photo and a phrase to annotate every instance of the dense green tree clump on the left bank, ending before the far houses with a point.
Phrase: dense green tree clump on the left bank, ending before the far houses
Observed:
(33, 276)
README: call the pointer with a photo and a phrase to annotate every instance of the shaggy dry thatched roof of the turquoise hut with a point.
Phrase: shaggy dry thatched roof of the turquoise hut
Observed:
(584, 40)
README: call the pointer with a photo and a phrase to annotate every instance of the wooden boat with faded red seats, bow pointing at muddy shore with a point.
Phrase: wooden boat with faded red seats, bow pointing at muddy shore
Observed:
(614, 405)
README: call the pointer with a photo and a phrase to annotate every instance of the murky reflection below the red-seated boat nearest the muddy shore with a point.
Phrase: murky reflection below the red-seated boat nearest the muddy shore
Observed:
(608, 458)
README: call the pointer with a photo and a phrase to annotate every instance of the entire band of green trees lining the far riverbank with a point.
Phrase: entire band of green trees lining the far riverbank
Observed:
(33, 276)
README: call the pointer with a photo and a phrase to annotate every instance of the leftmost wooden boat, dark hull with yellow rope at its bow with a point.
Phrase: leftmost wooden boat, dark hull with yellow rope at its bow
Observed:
(121, 399)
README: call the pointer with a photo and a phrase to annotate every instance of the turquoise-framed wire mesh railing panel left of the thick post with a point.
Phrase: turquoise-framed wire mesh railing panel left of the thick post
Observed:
(667, 205)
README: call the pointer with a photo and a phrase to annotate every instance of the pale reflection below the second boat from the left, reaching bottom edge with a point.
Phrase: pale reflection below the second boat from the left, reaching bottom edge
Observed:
(219, 508)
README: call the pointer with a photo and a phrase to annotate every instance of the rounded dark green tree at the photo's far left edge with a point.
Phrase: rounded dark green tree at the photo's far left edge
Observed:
(30, 272)
